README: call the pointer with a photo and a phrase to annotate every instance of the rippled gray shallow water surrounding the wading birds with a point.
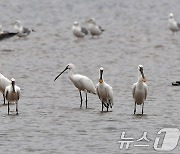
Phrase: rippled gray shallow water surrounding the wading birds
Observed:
(50, 120)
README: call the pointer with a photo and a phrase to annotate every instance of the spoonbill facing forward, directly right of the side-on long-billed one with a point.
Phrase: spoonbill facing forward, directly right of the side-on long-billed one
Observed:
(104, 91)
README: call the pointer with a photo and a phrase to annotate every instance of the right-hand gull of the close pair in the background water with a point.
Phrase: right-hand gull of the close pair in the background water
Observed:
(94, 29)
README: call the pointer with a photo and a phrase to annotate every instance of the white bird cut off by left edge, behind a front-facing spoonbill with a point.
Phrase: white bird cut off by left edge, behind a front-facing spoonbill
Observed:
(4, 82)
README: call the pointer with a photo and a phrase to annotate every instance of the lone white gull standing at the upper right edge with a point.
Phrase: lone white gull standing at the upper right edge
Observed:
(173, 25)
